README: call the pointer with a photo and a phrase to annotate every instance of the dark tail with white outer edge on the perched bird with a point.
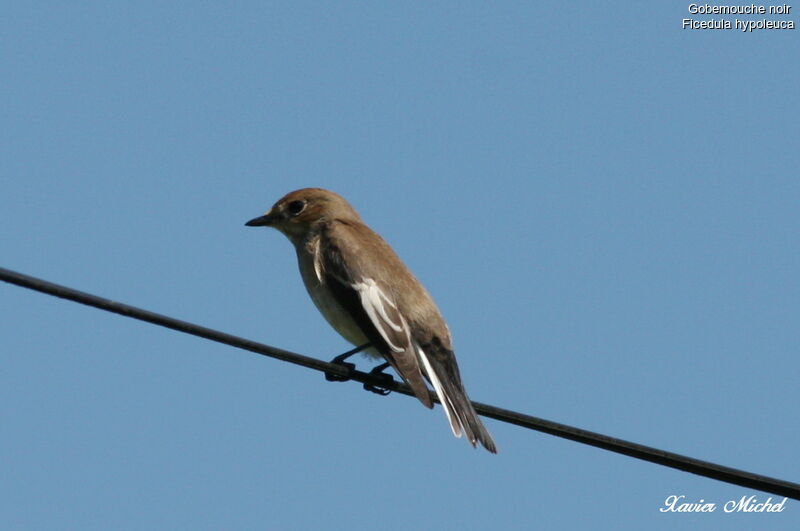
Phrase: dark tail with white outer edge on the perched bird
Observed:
(441, 370)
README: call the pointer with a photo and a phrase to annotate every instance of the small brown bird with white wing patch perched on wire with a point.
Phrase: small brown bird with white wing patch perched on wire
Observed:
(368, 295)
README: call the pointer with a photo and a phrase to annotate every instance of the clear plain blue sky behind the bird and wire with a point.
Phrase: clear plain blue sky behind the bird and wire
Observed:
(604, 206)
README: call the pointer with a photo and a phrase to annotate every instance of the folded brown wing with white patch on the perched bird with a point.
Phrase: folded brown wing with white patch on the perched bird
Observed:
(361, 291)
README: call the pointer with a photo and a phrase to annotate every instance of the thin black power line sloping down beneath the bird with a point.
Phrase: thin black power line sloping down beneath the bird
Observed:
(646, 453)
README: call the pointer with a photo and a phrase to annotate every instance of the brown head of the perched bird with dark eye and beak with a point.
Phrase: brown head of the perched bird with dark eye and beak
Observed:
(303, 211)
